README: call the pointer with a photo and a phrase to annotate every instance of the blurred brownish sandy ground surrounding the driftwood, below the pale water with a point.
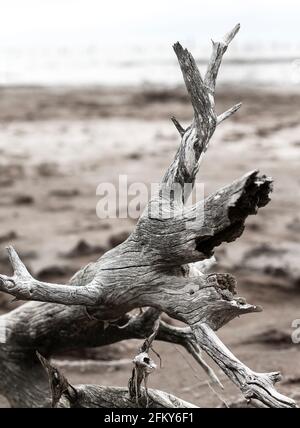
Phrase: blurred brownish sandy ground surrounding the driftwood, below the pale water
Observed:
(57, 145)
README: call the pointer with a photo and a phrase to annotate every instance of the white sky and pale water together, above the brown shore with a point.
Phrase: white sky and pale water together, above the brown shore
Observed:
(128, 43)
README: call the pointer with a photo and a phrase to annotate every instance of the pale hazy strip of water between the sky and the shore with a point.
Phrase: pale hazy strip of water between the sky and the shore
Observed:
(135, 64)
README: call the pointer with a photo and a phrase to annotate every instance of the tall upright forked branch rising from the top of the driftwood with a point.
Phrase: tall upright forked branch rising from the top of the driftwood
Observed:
(195, 139)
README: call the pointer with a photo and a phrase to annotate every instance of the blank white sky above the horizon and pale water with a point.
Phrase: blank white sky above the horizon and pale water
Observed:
(98, 21)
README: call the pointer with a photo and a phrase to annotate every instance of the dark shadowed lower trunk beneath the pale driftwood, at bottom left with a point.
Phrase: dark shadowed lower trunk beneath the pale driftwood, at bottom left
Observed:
(52, 329)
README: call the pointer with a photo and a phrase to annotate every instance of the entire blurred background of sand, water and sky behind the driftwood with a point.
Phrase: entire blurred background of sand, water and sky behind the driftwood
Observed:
(87, 89)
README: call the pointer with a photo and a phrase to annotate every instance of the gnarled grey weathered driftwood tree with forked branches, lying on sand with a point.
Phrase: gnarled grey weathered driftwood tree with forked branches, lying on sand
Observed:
(160, 266)
